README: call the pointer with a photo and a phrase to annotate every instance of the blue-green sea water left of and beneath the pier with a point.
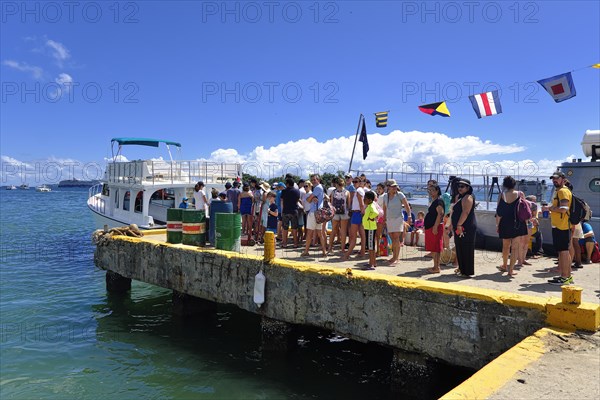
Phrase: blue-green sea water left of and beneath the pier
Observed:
(63, 337)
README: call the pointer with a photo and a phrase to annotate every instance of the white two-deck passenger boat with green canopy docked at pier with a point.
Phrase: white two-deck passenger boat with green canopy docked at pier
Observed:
(140, 192)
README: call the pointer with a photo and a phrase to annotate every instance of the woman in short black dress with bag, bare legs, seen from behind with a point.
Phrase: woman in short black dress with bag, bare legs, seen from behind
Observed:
(509, 228)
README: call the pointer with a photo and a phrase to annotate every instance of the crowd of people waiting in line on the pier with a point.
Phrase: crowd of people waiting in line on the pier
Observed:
(364, 219)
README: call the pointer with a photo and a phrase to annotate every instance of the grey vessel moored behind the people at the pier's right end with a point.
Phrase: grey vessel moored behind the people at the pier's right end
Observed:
(584, 175)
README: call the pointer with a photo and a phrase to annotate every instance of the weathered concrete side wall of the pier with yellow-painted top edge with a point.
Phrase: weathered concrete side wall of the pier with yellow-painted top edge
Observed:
(456, 324)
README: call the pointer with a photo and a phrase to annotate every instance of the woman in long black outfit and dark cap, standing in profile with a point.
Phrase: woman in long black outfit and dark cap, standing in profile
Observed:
(464, 226)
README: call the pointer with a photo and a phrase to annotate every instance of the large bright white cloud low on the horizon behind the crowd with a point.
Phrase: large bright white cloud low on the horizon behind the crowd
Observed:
(397, 151)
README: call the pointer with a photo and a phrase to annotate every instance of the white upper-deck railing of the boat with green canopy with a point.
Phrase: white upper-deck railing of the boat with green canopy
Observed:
(164, 172)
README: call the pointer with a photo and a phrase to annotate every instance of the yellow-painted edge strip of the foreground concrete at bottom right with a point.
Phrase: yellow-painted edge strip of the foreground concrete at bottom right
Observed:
(489, 379)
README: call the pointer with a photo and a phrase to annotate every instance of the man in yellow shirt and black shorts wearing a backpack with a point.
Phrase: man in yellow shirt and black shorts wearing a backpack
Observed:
(561, 229)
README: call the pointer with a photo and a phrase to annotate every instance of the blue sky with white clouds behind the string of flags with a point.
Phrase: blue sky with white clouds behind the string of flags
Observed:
(286, 81)
